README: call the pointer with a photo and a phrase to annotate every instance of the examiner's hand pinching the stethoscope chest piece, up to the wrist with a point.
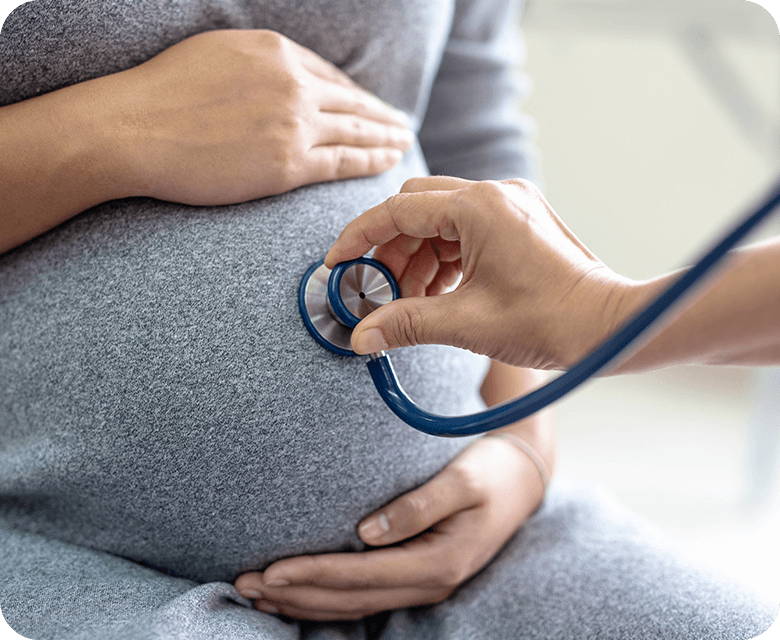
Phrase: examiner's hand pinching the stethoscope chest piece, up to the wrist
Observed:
(531, 294)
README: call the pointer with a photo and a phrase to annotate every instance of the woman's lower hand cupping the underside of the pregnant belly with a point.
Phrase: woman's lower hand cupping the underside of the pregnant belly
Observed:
(448, 529)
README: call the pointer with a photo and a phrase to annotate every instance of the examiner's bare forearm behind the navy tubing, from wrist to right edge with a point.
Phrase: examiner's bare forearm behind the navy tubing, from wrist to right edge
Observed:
(735, 320)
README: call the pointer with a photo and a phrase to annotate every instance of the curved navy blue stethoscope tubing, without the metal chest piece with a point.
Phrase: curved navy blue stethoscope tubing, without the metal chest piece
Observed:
(501, 415)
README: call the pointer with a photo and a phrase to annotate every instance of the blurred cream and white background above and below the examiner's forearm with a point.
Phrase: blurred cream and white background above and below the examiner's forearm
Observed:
(659, 122)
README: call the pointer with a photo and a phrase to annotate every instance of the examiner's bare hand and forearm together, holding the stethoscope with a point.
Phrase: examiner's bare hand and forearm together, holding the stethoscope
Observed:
(546, 298)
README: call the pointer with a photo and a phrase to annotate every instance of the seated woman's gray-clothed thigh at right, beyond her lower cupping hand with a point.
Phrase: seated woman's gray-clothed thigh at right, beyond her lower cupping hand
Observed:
(582, 567)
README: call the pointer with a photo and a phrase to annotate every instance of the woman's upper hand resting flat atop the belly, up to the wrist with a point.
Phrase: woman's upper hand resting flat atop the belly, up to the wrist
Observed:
(229, 116)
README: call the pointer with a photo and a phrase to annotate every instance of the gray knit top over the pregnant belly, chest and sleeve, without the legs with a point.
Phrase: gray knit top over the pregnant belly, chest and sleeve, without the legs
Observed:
(161, 399)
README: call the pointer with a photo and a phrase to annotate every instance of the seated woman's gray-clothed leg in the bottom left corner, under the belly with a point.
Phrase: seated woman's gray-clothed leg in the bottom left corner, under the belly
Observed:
(50, 590)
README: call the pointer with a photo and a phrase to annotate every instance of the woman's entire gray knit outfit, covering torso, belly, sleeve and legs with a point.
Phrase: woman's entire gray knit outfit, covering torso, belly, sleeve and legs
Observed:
(166, 422)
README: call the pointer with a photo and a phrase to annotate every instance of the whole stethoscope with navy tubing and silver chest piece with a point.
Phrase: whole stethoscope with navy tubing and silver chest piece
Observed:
(333, 302)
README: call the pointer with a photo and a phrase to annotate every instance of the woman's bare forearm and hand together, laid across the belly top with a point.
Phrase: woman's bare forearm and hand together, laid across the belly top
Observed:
(219, 118)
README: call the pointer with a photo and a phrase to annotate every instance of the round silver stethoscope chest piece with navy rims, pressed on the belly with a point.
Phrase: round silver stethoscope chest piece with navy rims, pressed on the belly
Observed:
(333, 302)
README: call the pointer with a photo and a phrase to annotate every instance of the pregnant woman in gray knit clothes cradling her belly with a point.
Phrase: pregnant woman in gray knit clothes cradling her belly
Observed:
(174, 447)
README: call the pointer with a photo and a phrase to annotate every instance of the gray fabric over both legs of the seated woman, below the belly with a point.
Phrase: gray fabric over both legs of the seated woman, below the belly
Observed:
(580, 568)
